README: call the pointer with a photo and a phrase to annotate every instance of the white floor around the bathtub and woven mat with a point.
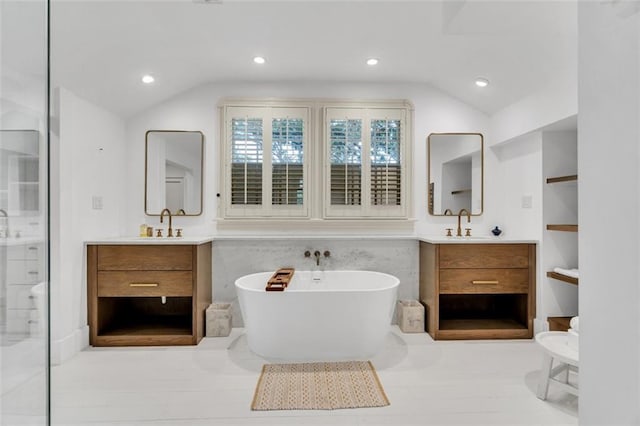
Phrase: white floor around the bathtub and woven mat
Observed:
(427, 382)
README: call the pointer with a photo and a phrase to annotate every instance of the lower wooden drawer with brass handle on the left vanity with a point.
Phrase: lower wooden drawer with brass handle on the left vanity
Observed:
(145, 283)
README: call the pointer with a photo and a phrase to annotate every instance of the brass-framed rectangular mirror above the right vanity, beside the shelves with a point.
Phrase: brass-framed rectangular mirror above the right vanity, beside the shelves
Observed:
(456, 173)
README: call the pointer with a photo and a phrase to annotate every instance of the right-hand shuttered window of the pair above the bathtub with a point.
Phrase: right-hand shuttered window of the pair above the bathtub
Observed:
(365, 175)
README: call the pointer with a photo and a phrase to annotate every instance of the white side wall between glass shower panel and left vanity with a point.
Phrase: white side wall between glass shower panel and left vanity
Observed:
(87, 159)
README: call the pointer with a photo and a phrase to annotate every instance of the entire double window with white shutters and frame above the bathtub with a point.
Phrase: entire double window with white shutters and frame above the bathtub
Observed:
(316, 160)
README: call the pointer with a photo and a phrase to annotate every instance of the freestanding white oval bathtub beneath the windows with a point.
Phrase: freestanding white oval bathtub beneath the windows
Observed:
(327, 315)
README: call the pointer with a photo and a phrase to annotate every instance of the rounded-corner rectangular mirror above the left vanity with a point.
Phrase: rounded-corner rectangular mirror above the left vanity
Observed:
(173, 172)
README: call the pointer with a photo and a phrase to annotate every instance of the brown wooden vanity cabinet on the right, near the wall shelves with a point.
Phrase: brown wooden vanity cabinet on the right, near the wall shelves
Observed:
(478, 291)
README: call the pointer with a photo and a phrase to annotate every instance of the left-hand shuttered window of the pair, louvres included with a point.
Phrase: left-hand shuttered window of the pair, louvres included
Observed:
(267, 173)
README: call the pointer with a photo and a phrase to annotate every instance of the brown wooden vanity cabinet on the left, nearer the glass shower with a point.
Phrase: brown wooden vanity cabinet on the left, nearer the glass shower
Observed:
(145, 295)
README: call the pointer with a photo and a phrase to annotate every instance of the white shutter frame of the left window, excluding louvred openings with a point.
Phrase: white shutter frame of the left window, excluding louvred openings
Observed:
(267, 113)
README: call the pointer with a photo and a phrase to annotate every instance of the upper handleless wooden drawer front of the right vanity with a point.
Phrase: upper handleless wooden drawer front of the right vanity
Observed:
(484, 256)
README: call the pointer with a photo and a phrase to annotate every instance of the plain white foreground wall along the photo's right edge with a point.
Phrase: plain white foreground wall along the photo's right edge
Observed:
(609, 202)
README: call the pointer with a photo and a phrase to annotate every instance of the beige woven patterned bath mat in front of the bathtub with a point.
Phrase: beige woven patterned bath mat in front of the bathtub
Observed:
(318, 386)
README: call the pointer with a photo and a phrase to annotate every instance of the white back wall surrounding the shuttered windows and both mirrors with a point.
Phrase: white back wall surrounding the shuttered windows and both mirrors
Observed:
(197, 110)
